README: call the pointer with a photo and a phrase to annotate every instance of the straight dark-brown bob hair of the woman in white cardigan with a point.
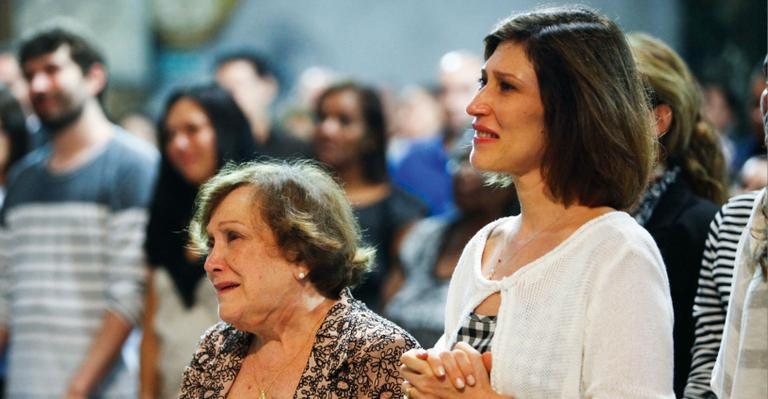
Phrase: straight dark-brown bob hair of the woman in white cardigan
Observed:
(600, 143)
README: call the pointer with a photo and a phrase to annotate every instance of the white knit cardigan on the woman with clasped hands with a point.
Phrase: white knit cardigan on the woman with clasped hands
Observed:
(590, 319)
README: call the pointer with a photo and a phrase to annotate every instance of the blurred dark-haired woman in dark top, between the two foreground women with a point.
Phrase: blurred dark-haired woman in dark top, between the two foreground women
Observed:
(350, 138)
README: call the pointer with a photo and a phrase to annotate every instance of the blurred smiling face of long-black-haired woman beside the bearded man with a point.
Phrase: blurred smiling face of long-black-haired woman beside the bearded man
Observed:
(191, 141)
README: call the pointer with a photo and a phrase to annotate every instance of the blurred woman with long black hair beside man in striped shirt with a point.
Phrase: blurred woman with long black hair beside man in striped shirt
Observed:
(200, 130)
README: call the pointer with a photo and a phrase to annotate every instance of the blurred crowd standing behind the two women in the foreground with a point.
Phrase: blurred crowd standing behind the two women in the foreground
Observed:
(98, 282)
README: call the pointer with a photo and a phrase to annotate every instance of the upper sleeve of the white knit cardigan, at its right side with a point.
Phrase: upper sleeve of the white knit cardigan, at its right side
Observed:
(628, 345)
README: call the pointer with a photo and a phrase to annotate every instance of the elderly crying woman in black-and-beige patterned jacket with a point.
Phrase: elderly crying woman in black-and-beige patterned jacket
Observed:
(283, 248)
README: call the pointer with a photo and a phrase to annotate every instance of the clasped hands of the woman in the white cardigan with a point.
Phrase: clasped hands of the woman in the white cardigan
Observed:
(462, 372)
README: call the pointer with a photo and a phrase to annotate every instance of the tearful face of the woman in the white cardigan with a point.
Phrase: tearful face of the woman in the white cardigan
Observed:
(508, 114)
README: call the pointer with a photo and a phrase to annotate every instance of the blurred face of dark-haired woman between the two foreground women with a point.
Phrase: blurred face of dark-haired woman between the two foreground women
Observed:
(340, 130)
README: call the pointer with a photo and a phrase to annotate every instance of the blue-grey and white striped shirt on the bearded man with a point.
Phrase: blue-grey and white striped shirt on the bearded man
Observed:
(70, 250)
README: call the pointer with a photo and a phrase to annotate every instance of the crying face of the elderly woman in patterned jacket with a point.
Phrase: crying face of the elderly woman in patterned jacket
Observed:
(251, 277)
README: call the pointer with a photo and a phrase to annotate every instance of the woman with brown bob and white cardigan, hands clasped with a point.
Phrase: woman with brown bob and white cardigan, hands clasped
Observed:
(570, 298)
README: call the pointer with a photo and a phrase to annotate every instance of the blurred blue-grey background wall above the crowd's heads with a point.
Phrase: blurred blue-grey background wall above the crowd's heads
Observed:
(152, 45)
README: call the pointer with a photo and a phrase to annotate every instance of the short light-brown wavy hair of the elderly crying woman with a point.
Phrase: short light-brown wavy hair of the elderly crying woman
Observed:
(307, 211)
